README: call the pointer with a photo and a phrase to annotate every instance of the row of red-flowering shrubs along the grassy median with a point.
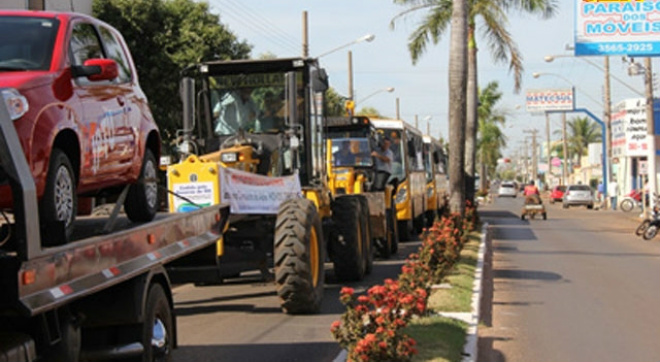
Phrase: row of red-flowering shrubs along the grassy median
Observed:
(371, 329)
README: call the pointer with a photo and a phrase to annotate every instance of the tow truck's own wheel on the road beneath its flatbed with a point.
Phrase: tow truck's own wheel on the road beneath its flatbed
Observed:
(157, 332)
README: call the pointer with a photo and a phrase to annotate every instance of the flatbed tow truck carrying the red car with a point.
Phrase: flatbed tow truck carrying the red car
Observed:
(104, 297)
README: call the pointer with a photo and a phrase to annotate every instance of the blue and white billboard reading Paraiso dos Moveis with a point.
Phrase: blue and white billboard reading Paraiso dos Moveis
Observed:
(604, 27)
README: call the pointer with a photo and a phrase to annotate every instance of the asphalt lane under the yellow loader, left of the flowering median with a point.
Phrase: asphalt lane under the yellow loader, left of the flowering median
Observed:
(242, 320)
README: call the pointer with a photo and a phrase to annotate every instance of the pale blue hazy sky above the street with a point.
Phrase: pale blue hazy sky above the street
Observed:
(275, 26)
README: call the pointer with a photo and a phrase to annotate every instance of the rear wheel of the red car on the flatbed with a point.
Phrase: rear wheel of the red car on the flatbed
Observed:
(141, 202)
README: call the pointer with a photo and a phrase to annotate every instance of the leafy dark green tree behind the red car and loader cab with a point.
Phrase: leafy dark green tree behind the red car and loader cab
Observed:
(164, 37)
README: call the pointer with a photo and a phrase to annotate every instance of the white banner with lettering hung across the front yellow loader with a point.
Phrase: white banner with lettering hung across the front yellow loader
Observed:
(249, 193)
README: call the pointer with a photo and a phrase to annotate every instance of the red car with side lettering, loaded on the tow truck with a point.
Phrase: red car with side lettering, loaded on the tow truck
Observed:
(72, 92)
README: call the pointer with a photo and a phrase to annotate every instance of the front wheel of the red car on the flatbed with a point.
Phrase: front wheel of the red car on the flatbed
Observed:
(59, 202)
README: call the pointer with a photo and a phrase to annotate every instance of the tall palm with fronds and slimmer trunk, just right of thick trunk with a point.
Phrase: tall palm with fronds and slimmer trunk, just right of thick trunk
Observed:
(503, 48)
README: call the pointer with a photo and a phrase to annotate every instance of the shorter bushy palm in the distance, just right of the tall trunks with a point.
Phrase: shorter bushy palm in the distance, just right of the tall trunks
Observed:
(491, 138)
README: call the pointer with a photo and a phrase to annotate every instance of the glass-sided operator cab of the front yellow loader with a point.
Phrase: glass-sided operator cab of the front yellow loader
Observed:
(260, 116)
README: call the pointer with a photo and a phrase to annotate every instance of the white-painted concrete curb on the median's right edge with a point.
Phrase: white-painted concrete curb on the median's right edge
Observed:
(470, 350)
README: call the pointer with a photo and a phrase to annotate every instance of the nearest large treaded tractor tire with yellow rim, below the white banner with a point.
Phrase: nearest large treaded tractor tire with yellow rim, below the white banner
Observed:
(299, 257)
